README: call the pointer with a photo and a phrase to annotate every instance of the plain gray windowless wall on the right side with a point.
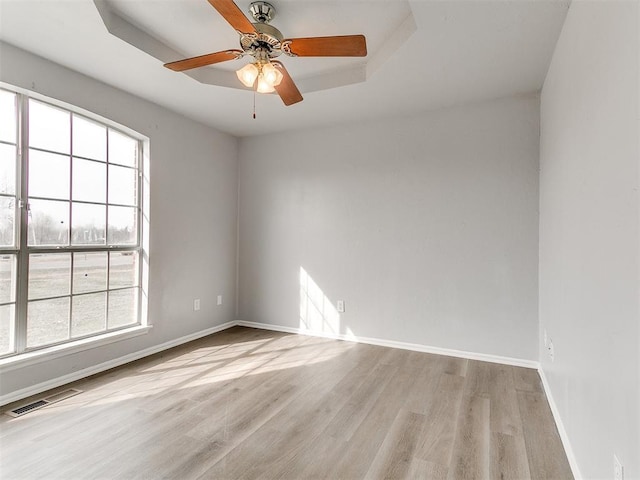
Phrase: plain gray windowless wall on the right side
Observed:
(589, 237)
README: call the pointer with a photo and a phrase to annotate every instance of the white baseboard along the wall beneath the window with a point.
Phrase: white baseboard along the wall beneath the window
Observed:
(80, 374)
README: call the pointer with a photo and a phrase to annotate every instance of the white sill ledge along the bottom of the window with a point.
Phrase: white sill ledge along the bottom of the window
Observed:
(57, 351)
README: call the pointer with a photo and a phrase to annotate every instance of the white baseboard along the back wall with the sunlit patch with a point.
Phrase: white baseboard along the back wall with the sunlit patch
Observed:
(483, 357)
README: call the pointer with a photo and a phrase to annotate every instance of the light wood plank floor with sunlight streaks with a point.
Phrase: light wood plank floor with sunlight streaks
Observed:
(248, 403)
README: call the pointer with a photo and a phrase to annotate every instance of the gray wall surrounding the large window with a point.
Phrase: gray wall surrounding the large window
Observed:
(193, 212)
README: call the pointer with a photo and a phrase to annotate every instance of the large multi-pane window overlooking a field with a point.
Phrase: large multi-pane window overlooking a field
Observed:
(70, 225)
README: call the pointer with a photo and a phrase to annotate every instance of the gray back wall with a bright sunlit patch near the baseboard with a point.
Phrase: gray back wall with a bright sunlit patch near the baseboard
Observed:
(427, 227)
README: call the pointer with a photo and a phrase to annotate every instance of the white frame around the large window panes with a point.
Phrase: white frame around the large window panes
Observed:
(21, 355)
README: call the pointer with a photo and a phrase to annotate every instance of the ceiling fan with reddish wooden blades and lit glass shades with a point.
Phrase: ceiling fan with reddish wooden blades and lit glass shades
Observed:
(264, 42)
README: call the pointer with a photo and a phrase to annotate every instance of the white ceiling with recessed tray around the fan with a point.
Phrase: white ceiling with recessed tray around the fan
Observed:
(460, 51)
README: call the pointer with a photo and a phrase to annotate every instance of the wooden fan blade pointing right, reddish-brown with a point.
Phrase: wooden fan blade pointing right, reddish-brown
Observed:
(339, 46)
